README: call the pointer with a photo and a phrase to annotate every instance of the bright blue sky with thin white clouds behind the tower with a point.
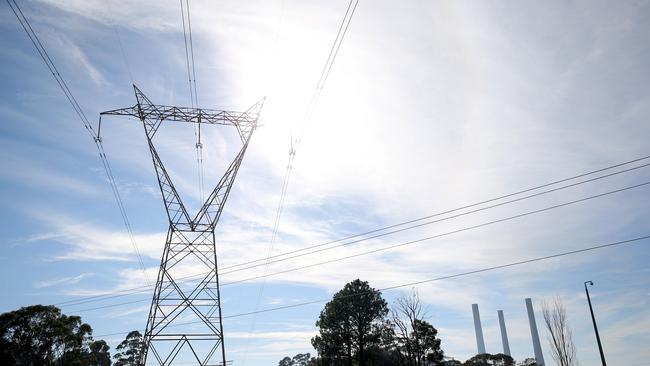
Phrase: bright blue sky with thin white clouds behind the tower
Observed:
(429, 106)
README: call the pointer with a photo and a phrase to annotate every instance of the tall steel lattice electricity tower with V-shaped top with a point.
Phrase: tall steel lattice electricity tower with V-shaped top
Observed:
(185, 316)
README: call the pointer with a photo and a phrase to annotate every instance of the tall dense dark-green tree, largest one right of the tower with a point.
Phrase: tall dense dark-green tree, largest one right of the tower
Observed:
(351, 324)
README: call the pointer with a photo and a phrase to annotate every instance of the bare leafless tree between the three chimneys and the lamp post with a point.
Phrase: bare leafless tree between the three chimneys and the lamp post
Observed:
(560, 336)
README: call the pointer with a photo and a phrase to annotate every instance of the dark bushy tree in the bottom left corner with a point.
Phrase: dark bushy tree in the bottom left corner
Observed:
(40, 335)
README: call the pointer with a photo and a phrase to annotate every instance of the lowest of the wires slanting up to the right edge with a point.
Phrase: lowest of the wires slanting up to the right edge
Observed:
(435, 279)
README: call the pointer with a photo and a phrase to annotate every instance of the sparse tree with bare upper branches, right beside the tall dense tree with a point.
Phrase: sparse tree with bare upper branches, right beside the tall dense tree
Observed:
(416, 339)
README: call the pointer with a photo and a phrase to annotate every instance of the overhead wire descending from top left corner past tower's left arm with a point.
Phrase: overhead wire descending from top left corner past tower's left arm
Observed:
(24, 22)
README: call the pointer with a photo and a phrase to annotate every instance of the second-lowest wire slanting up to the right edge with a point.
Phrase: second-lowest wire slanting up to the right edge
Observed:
(528, 213)
